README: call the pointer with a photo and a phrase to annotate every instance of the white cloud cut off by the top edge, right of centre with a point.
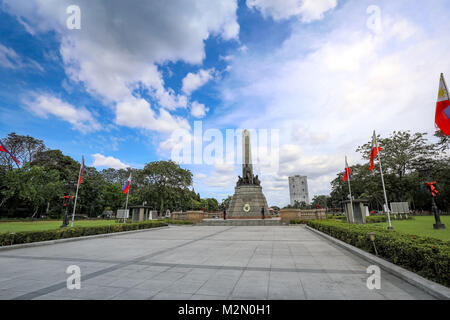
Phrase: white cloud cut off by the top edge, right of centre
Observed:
(306, 10)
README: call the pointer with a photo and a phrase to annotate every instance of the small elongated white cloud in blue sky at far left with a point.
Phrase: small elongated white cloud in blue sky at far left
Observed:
(45, 104)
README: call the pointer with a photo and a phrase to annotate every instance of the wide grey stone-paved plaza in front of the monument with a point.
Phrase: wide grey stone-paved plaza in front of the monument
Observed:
(197, 262)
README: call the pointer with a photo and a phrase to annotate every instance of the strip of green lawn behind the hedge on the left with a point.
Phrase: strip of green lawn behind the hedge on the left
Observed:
(6, 227)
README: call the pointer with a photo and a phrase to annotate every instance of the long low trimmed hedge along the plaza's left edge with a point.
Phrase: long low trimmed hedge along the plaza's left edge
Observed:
(35, 236)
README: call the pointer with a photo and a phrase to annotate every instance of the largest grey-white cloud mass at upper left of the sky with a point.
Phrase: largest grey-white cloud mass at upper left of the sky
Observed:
(119, 46)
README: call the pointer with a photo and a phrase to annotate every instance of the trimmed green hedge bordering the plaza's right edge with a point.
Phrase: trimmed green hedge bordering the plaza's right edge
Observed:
(428, 257)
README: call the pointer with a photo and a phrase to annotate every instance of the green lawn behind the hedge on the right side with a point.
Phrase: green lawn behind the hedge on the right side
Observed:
(421, 226)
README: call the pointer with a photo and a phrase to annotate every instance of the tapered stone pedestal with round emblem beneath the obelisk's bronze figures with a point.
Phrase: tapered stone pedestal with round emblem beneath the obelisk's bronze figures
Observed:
(247, 202)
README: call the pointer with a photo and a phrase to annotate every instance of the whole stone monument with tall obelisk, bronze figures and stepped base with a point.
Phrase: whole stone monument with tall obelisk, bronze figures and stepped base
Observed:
(248, 198)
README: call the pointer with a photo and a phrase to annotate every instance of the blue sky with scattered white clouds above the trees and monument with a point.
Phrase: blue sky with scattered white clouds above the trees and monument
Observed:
(322, 74)
